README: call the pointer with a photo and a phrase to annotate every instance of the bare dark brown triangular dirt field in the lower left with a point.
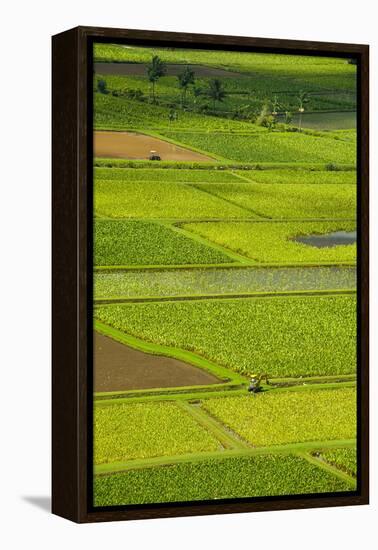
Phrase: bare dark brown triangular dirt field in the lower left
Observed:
(119, 368)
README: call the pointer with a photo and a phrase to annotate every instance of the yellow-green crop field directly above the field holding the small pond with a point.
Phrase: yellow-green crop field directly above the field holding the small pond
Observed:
(290, 200)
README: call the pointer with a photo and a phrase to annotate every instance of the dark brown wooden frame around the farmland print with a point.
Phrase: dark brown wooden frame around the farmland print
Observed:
(72, 280)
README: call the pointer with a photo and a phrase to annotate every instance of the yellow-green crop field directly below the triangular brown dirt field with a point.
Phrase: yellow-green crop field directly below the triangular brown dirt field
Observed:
(143, 430)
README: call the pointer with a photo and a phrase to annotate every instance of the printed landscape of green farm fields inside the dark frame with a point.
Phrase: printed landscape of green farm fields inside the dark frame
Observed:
(225, 288)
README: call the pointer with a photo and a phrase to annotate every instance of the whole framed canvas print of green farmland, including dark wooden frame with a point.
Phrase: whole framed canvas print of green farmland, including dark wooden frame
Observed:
(210, 274)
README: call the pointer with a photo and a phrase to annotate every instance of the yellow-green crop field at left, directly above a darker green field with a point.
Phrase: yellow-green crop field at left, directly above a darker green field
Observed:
(118, 198)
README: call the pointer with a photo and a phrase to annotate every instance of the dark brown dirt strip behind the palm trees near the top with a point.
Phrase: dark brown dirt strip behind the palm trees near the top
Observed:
(173, 69)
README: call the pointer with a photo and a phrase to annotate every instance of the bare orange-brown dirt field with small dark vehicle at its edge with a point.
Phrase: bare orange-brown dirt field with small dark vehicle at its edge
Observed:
(131, 145)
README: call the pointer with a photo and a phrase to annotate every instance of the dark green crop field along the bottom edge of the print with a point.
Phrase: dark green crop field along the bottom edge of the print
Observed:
(214, 479)
